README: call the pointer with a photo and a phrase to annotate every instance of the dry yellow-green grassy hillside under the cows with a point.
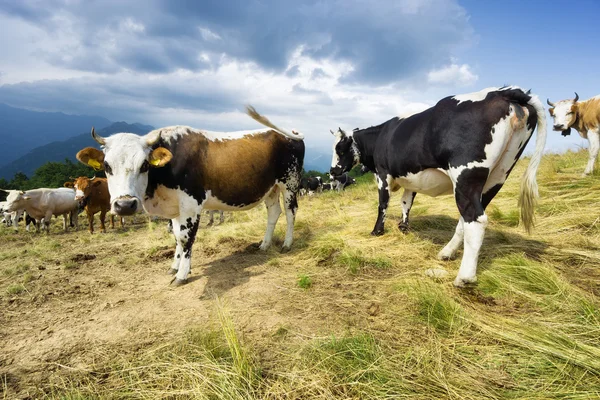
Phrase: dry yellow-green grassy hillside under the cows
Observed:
(344, 315)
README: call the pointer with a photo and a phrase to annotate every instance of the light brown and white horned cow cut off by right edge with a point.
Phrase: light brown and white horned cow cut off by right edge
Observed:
(583, 116)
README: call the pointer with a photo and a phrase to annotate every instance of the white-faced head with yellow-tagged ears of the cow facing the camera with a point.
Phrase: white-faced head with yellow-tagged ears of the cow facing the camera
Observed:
(126, 160)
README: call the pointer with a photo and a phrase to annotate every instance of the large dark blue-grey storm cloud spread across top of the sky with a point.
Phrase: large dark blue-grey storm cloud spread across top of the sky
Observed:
(384, 40)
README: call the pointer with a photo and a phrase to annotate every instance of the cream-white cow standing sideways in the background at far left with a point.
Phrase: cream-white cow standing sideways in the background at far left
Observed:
(42, 204)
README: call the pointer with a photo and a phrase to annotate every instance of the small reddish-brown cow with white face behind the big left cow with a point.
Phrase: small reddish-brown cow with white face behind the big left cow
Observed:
(93, 195)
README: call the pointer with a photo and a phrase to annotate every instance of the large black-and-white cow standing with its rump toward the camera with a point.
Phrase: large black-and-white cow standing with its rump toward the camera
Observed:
(466, 145)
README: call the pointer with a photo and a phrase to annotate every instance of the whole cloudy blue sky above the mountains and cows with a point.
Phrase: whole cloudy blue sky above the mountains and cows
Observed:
(308, 65)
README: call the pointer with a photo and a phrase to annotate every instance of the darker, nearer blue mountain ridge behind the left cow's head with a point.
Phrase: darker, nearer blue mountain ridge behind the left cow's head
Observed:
(58, 151)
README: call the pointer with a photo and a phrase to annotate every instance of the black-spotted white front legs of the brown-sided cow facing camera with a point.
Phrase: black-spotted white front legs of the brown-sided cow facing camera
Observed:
(185, 228)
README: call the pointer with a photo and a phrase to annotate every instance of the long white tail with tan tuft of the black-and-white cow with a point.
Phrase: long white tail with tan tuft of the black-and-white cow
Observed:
(529, 189)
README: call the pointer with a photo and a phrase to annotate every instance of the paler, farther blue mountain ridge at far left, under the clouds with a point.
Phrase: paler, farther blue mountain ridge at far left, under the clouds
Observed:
(23, 130)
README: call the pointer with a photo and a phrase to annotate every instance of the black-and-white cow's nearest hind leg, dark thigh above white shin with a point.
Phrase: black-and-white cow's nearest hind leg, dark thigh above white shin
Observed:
(468, 188)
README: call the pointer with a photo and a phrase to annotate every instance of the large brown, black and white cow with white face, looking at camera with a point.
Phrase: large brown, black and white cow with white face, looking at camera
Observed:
(177, 171)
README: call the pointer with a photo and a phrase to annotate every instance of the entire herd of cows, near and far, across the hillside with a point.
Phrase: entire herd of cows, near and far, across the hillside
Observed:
(465, 145)
